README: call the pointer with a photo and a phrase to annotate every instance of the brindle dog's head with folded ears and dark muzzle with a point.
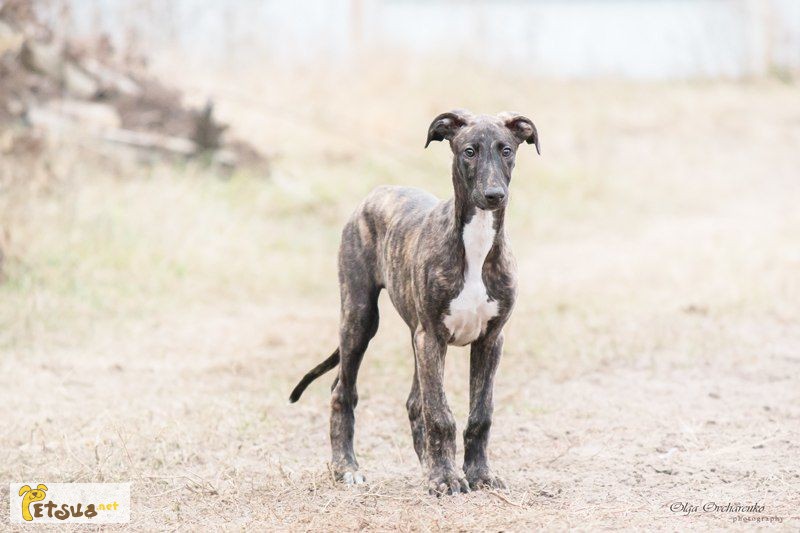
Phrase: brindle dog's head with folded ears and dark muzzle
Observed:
(484, 148)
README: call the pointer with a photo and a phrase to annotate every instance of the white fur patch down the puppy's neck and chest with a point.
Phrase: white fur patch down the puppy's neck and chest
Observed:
(471, 310)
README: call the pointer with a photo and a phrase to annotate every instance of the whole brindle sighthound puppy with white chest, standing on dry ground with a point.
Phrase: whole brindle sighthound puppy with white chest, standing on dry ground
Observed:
(449, 273)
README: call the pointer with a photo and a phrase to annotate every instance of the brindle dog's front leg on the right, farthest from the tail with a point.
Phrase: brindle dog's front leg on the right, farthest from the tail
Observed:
(483, 361)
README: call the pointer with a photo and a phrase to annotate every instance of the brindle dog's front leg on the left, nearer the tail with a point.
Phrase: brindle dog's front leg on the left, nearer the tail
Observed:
(440, 426)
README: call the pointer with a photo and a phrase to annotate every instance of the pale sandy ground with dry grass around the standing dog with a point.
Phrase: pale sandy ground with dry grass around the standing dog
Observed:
(154, 319)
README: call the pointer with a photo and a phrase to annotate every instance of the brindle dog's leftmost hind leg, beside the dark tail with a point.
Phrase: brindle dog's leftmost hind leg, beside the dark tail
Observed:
(359, 322)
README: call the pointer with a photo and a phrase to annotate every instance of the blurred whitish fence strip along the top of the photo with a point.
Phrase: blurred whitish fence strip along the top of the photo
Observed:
(639, 39)
